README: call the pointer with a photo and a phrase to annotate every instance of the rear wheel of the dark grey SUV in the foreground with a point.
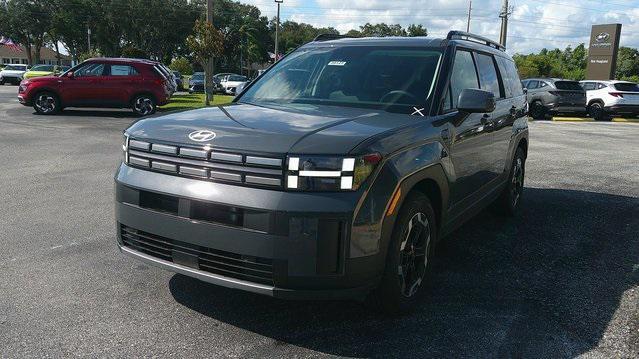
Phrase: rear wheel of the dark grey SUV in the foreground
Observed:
(510, 199)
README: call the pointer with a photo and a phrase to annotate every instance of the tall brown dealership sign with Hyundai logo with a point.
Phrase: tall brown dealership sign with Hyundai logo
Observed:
(602, 53)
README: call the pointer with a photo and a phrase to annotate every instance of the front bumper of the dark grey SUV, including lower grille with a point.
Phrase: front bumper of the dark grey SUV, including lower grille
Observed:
(298, 241)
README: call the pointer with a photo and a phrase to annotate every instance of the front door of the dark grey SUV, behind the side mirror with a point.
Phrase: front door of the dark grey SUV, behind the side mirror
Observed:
(470, 148)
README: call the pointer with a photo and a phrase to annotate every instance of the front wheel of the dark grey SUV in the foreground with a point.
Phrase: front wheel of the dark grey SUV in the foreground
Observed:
(408, 260)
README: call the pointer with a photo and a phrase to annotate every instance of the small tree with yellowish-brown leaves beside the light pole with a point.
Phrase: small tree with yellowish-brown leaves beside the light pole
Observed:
(207, 42)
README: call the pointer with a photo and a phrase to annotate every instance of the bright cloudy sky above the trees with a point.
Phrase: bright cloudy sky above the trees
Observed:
(533, 25)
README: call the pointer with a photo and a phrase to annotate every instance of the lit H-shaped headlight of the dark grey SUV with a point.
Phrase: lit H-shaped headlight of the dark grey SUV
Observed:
(319, 173)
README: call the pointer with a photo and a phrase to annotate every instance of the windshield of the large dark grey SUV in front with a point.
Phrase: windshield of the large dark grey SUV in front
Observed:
(391, 78)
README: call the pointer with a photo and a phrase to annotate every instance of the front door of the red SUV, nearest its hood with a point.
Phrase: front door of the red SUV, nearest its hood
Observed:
(84, 88)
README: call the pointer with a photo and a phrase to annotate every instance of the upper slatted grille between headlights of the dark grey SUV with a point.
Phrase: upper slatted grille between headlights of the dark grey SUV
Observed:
(207, 164)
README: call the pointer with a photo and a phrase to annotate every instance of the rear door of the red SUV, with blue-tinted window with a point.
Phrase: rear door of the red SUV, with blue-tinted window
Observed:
(120, 84)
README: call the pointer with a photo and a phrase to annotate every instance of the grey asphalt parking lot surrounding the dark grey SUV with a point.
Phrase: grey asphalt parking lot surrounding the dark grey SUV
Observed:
(559, 280)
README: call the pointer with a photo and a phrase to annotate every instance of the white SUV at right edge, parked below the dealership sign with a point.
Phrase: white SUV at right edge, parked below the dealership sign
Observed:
(611, 98)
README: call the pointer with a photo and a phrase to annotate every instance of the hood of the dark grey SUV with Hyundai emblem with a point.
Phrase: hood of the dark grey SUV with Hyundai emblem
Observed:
(243, 127)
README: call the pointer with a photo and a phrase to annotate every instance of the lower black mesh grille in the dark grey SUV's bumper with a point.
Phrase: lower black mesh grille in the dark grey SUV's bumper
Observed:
(252, 269)
